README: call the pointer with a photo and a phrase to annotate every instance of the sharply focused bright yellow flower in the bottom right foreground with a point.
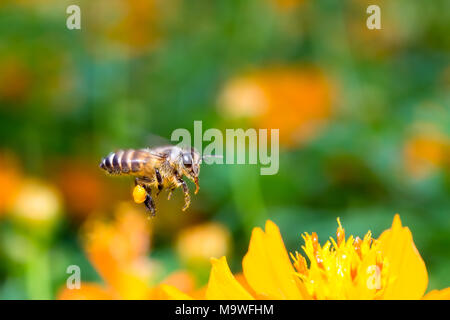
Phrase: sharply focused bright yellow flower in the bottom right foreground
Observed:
(389, 267)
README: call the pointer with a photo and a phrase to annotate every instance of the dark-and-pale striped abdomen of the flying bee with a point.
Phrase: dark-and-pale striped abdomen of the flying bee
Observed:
(123, 162)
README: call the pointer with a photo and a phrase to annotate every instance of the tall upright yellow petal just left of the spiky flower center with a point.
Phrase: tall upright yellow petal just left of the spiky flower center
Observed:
(267, 267)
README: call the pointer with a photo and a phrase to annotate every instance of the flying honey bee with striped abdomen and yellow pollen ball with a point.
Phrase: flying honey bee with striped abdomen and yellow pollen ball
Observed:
(158, 169)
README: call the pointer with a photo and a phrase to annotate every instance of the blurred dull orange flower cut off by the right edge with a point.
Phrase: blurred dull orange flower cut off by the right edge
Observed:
(425, 152)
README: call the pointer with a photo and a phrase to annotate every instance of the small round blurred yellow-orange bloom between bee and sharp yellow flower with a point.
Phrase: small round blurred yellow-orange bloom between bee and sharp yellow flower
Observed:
(201, 242)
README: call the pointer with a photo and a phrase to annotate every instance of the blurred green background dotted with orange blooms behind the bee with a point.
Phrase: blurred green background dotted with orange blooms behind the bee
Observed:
(363, 117)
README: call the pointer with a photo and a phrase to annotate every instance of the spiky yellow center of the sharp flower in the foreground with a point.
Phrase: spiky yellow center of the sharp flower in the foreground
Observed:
(342, 269)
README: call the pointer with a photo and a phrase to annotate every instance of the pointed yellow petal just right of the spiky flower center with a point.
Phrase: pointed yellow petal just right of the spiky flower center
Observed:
(408, 271)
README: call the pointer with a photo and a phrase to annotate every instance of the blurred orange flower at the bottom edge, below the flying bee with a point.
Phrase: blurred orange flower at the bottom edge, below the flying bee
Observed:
(118, 251)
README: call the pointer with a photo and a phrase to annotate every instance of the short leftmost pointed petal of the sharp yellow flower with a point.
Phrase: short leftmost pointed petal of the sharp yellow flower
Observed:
(222, 285)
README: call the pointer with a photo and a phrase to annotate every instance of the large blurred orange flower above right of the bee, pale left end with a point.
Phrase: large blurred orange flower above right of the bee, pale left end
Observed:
(298, 101)
